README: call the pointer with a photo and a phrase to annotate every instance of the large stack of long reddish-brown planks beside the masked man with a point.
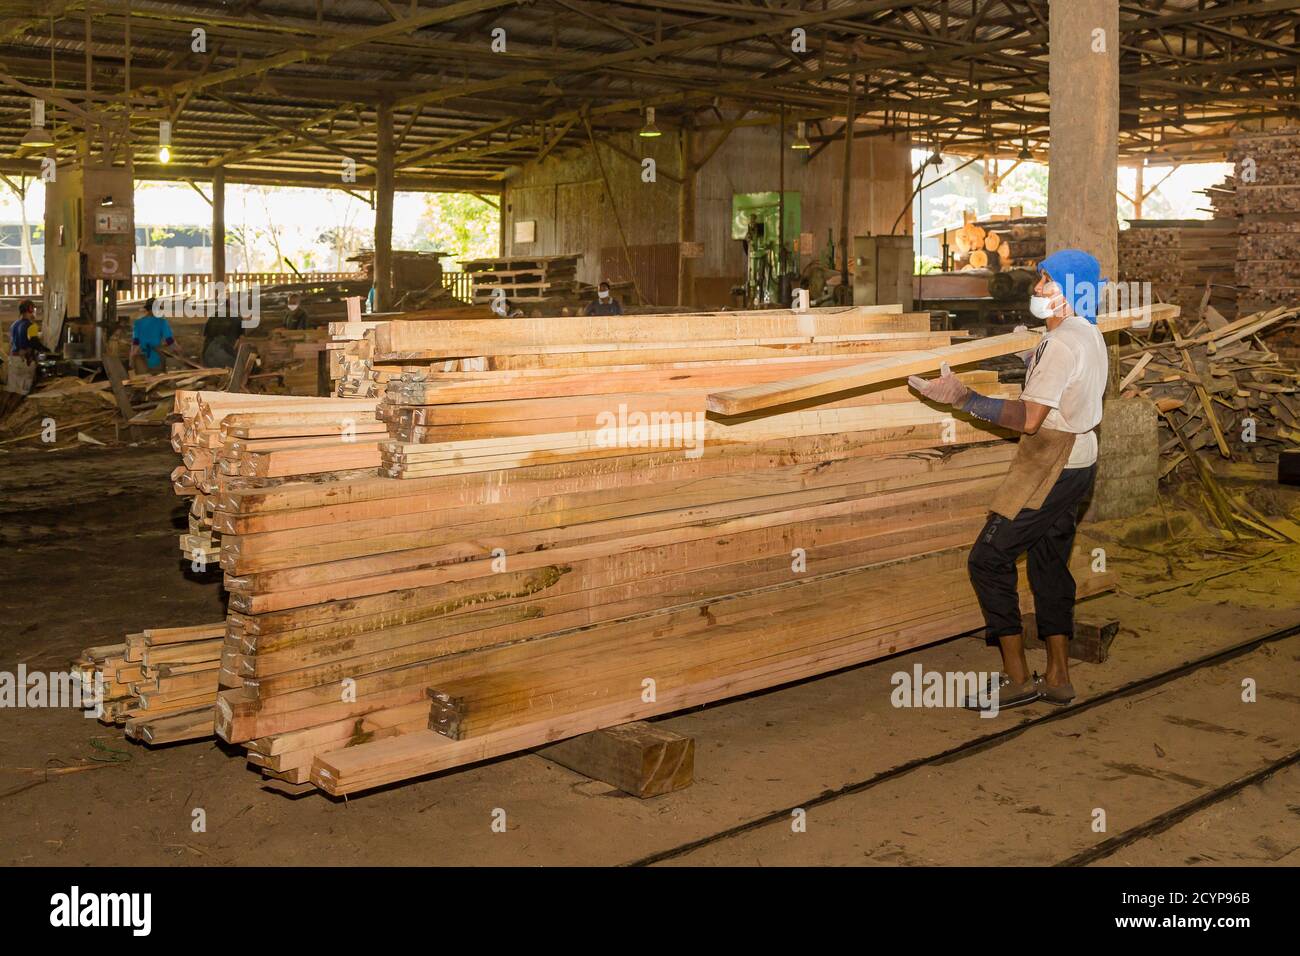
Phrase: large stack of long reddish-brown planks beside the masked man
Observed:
(526, 578)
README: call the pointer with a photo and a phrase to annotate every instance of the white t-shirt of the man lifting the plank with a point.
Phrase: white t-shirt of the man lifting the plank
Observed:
(1068, 374)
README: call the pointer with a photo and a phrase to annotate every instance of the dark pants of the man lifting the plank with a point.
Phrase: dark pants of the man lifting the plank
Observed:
(1047, 535)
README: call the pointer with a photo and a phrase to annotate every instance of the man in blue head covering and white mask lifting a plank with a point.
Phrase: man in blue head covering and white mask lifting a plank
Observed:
(1037, 509)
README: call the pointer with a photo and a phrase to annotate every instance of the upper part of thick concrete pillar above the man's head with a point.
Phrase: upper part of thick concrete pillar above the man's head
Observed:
(1084, 85)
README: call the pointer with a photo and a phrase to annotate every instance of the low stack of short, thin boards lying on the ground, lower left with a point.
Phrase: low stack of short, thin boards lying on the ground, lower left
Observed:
(159, 685)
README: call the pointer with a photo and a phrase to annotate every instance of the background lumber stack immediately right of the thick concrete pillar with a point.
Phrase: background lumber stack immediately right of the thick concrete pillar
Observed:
(1181, 259)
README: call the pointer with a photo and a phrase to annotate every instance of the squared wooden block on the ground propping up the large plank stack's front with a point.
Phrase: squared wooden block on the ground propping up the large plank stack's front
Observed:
(640, 759)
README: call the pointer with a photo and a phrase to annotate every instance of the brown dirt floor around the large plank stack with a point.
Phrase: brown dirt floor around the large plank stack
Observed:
(89, 553)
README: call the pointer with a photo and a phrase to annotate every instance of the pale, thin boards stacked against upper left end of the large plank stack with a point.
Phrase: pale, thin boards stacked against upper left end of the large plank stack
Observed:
(242, 440)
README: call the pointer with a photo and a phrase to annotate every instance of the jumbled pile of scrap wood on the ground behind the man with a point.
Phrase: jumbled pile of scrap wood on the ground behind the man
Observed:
(1223, 393)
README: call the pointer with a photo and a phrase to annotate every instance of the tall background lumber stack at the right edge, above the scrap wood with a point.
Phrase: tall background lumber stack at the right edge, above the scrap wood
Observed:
(1268, 197)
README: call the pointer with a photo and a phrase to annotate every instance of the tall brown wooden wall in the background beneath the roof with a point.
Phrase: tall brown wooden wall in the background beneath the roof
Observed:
(569, 201)
